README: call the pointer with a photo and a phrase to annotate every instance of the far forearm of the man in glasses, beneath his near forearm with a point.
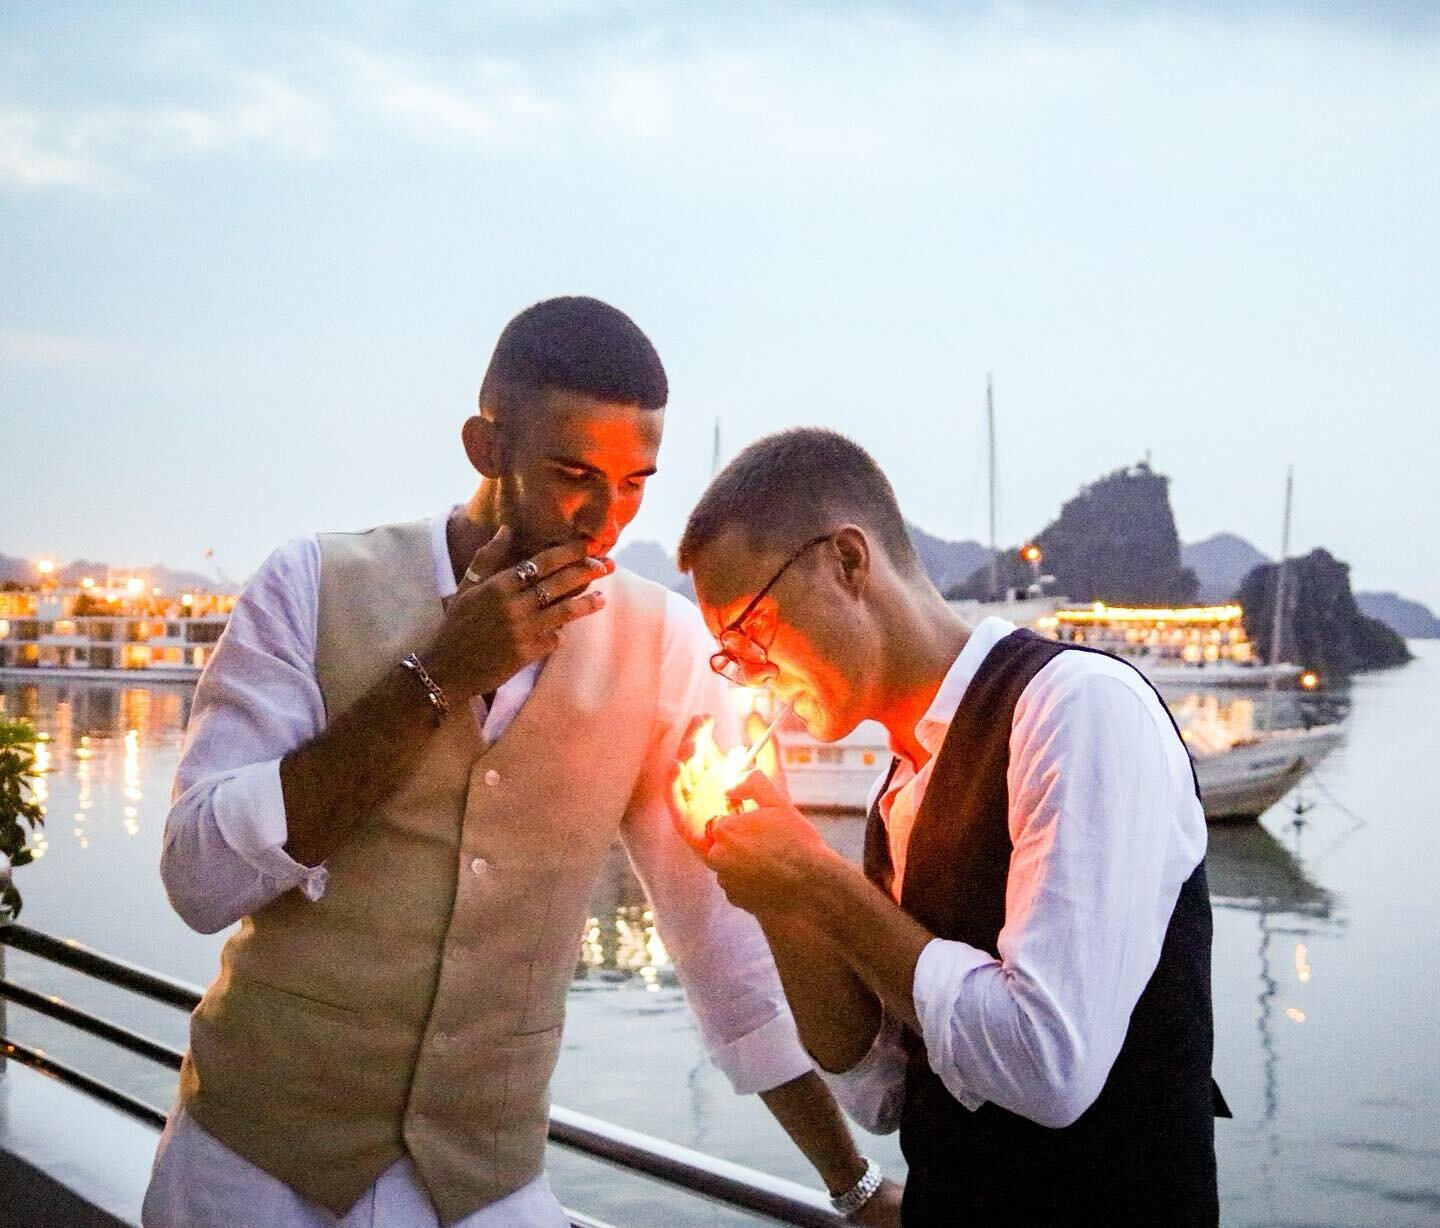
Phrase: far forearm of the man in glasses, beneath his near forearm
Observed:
(836, 1013)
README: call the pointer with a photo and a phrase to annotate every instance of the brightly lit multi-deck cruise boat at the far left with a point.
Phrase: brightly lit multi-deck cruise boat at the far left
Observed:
(106, 631)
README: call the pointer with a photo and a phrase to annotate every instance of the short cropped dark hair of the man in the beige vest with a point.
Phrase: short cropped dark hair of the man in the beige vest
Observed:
(574, 345)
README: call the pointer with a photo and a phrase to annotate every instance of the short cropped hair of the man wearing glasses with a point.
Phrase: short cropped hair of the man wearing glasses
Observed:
(798, 484)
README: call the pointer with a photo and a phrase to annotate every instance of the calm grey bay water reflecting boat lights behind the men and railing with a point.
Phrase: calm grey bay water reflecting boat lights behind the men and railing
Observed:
(1324, 970)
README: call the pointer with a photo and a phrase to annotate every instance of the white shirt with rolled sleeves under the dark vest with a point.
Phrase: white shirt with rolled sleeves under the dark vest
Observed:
(1105, 830)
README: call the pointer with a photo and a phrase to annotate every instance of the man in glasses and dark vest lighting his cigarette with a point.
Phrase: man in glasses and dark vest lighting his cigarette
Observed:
(1020, 980)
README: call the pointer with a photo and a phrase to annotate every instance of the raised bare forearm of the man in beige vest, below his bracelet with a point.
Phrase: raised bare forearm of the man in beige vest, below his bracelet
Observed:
(355, 765)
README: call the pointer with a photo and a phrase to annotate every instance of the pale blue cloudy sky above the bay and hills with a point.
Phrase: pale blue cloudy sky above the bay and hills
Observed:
(253, 263)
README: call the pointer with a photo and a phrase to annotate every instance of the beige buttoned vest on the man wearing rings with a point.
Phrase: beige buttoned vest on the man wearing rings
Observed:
(418, 1006)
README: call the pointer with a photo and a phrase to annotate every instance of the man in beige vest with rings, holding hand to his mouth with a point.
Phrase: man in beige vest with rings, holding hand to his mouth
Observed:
(405, 765)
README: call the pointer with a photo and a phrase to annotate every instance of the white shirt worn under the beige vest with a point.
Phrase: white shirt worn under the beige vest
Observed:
(225, 859)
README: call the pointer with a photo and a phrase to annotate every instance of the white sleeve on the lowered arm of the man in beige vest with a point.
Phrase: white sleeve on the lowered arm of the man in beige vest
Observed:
(722, 955)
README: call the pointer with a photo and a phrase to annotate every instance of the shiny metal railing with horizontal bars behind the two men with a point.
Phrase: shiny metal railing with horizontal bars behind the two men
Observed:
(734, 1186)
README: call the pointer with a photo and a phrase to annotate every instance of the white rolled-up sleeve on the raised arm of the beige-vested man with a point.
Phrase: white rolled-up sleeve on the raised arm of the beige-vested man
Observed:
(258, 700)
